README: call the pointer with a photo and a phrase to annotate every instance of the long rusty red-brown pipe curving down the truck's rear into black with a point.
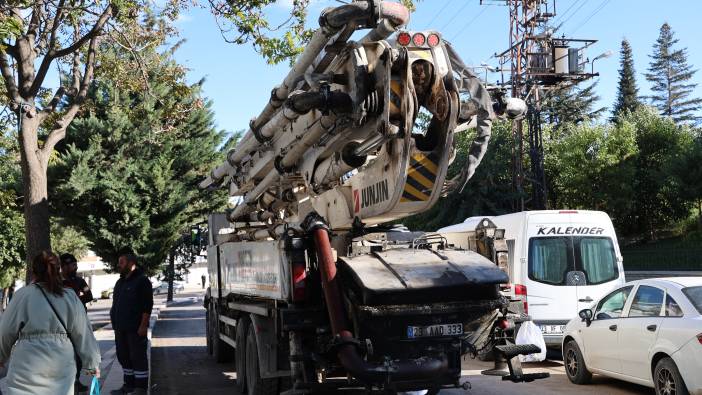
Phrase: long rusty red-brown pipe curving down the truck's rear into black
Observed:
(424, 368)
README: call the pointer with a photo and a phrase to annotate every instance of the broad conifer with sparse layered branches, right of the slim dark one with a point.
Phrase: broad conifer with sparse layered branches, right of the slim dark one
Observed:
(671, 76)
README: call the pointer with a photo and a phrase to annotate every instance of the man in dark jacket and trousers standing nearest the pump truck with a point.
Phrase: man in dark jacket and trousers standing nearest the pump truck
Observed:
(131, 308)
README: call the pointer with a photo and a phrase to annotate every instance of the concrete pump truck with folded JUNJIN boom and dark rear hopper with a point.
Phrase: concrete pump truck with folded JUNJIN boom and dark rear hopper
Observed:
(311, 291)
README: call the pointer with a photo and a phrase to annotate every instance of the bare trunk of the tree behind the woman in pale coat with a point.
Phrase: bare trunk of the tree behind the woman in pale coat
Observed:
(36, 204)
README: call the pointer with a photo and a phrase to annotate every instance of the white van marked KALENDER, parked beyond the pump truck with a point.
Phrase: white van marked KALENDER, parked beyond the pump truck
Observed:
(560, 262)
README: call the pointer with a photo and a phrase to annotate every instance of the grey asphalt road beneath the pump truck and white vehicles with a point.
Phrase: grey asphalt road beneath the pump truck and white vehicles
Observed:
(180, 365)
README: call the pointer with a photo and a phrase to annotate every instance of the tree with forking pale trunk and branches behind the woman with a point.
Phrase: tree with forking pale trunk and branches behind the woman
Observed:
(46, 32)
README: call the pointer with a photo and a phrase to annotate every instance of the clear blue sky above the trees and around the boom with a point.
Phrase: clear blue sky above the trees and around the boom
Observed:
(239, 81)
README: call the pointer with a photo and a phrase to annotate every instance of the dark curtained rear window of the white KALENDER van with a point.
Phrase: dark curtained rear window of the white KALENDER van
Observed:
(552, 258)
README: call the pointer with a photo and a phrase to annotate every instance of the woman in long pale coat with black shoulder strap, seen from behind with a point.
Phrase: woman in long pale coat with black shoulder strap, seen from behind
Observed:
(43, 330)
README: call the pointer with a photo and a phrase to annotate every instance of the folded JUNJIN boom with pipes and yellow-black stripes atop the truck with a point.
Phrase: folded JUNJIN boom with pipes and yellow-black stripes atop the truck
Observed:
(338, 135)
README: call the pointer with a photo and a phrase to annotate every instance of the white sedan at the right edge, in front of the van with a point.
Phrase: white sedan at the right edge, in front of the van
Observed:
(647, 332)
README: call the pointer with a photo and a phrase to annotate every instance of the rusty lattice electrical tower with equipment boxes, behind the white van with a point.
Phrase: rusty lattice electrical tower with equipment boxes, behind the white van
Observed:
(538, 64)
